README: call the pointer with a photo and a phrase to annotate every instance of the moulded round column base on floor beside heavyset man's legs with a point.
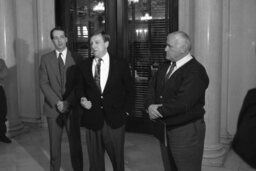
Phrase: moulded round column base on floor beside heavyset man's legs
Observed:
(215, 155)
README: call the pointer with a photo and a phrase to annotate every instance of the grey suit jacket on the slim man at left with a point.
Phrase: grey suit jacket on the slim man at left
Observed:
(50, 82)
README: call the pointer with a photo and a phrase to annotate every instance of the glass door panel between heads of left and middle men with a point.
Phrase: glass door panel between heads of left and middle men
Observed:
(86, 16)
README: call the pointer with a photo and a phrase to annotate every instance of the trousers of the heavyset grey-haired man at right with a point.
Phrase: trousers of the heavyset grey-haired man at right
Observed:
(184, 151)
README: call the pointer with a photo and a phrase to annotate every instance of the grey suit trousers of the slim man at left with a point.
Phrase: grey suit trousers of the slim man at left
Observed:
(55, 136)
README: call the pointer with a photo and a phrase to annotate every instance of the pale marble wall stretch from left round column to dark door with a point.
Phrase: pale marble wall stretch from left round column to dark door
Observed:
(32, 39)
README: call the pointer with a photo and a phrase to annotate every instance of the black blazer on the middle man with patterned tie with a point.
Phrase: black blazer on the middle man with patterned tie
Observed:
(117, 99)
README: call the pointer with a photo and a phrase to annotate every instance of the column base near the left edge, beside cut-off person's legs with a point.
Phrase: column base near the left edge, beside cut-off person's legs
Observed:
(16, 128)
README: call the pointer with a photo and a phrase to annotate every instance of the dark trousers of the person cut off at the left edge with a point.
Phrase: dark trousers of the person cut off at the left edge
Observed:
(3, 111)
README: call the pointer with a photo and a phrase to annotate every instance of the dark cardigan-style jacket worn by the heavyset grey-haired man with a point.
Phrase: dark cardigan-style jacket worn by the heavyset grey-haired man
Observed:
(182, 95)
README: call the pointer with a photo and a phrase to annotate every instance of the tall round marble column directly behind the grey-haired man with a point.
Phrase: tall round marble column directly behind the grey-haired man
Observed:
(208, 50)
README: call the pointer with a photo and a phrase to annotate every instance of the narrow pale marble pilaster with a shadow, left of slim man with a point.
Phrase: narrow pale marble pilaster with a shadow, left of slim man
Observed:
(27, 57)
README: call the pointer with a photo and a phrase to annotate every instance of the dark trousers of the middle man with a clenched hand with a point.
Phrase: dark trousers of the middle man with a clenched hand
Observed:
(109, 140)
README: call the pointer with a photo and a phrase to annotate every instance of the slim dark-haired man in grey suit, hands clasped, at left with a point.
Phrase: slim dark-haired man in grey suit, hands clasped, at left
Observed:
(57, 80)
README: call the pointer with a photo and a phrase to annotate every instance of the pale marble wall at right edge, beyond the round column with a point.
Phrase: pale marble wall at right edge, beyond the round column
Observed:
(238, 60)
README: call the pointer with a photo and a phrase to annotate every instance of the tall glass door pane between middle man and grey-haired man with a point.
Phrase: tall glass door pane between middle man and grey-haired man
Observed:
(148, 27)
